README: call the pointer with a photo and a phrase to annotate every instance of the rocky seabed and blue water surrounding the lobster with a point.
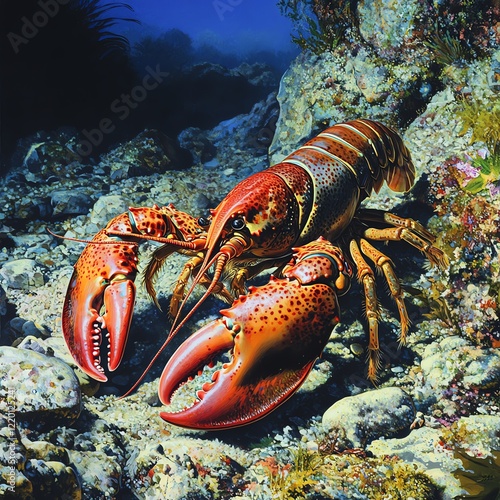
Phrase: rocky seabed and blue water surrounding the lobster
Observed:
(102, 109)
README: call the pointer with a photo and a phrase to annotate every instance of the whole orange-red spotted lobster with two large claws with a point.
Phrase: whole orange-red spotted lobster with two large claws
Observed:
(301, 217)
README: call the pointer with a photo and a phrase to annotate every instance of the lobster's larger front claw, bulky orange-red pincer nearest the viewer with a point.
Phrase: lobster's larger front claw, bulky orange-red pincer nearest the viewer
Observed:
(275, 335)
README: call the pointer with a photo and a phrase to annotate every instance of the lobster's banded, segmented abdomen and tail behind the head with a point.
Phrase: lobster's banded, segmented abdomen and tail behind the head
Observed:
(333, 172)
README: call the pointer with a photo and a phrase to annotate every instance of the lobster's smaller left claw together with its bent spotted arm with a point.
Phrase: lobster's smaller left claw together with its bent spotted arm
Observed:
(101, 292)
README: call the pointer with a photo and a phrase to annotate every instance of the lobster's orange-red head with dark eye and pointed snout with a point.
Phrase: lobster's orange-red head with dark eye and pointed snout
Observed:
(258, 218)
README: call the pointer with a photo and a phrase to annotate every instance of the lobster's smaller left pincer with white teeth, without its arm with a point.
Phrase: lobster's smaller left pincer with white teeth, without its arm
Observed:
(110, 285)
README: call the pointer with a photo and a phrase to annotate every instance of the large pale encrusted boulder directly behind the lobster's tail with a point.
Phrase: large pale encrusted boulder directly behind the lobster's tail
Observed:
(333, 88)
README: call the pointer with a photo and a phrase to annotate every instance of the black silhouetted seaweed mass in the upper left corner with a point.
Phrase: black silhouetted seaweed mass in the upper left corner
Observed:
(61, 66)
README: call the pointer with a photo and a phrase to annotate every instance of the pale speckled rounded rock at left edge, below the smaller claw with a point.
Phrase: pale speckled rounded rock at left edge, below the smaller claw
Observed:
(44, 390)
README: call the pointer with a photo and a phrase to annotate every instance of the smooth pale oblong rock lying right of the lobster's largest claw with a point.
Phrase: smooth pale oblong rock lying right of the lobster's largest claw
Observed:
(357, 420)
